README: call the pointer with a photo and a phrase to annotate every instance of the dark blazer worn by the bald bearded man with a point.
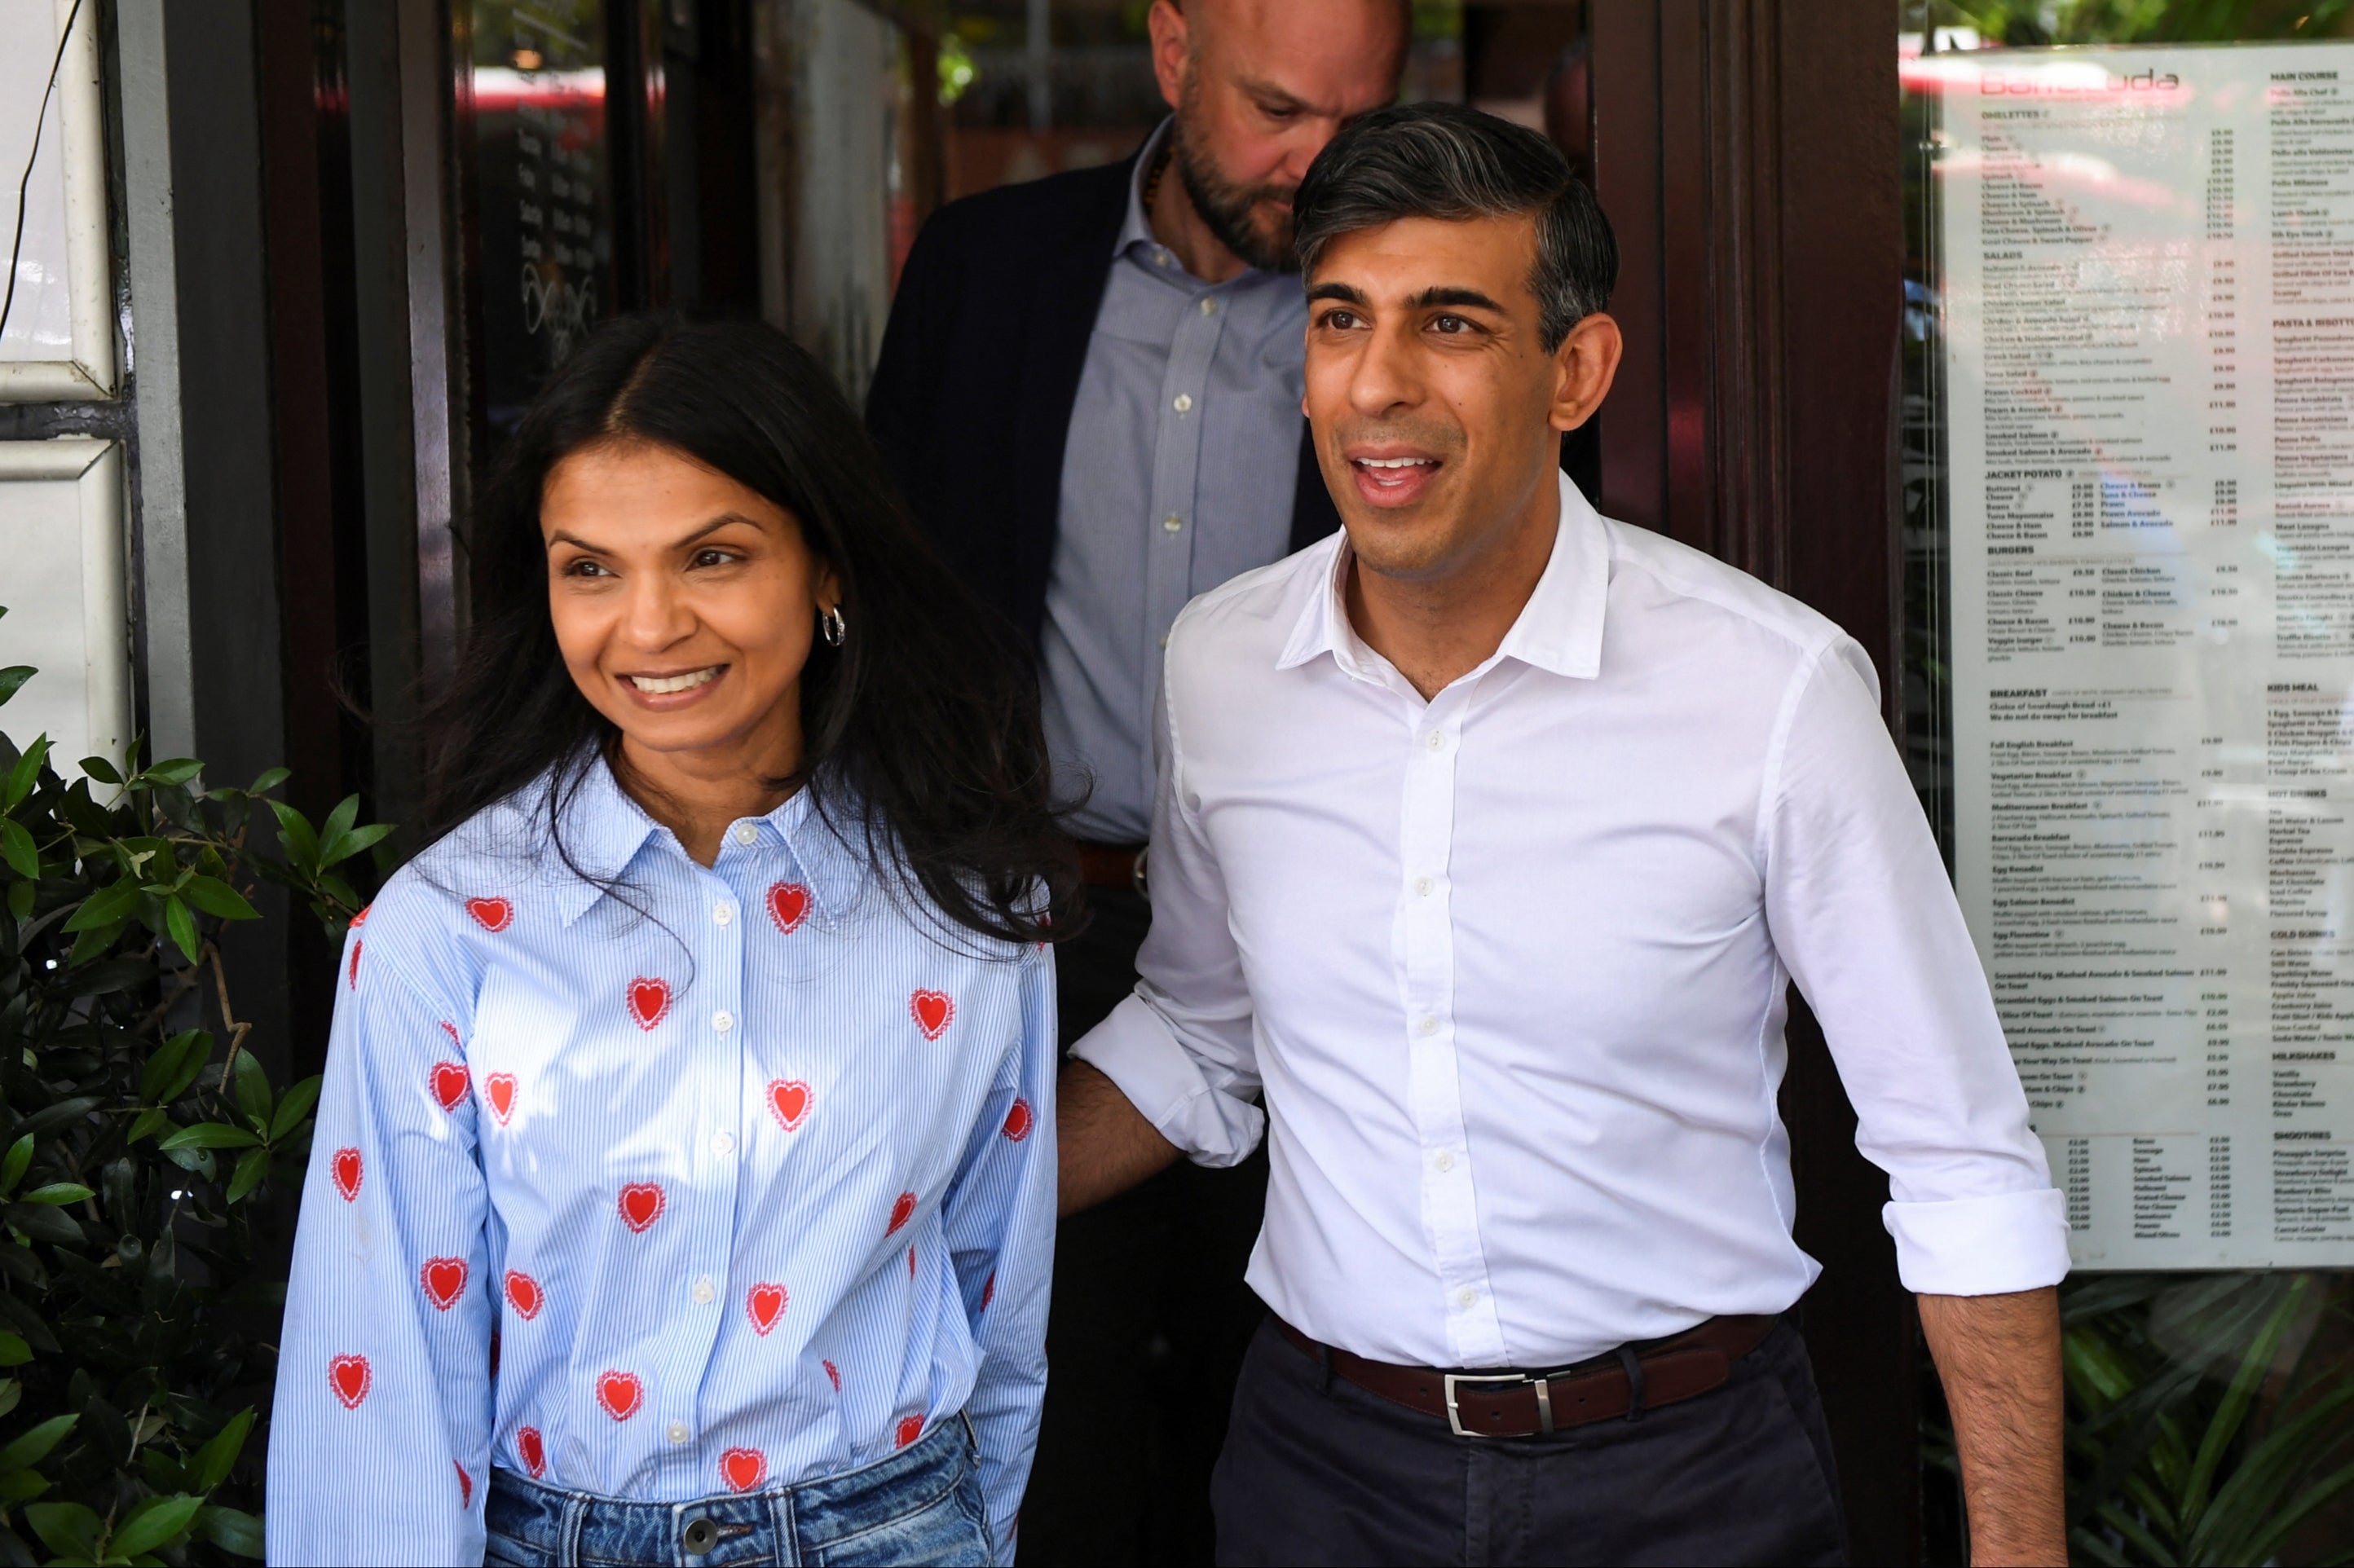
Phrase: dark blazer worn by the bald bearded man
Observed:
(980, 368)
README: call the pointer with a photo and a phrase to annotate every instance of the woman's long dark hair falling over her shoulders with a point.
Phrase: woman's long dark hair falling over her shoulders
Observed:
(922, 733)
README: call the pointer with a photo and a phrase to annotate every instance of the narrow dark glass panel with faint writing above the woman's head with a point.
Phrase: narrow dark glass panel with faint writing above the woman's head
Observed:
(543, 194)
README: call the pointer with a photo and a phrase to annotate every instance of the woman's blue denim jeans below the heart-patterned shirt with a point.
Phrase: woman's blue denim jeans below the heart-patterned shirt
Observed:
(912, 1510)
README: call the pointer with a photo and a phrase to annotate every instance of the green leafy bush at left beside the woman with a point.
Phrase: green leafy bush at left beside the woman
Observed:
(140, 1268)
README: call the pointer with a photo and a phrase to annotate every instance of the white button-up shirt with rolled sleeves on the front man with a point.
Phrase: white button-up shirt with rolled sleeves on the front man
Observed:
(1510, 966)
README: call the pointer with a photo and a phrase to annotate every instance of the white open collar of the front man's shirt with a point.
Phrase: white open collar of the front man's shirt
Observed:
(1560, 630)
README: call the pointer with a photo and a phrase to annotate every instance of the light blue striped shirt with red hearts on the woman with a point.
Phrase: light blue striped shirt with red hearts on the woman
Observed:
(717, 1181)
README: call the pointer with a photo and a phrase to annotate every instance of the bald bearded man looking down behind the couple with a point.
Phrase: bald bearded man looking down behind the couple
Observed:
(1091, 399)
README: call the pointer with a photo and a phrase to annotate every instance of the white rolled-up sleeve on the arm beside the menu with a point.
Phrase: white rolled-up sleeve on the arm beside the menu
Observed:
(1868, 924)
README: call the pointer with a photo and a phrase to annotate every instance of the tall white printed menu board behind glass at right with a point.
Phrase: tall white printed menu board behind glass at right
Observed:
(2148, 267)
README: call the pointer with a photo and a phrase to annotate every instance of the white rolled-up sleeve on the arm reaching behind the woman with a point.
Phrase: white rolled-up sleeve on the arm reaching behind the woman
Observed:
(1183, 1047)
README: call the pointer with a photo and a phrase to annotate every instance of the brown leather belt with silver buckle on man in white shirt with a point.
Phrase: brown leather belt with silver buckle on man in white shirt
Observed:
(1524, 1404)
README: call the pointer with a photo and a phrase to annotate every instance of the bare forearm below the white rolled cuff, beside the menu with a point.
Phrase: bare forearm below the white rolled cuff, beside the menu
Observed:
(2000, 1362)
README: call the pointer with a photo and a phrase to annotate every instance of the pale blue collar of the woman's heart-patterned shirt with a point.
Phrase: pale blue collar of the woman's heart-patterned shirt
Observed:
(606, 832)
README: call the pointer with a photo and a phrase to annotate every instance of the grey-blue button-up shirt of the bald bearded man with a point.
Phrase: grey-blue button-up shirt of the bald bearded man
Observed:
(1181, 472)
